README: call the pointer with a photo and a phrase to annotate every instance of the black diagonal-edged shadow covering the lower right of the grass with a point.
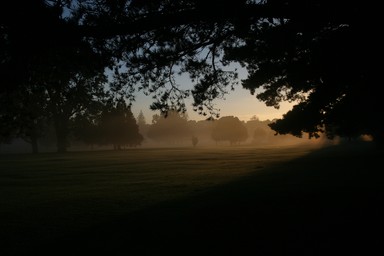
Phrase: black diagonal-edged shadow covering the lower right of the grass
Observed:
(328, 202)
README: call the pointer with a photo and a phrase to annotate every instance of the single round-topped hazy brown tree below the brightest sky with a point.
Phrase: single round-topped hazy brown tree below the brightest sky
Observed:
(229, 128)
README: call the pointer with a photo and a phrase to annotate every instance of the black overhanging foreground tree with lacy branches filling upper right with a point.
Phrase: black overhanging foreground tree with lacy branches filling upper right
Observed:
(305, 51)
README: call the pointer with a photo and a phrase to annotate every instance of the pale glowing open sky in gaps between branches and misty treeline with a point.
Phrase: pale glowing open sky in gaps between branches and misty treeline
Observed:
(240, 103)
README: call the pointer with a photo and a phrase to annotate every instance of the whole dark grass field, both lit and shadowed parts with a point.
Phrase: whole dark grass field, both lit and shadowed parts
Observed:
(185, 201)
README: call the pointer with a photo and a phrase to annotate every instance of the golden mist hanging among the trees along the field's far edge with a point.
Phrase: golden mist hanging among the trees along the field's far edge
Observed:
(175, 130)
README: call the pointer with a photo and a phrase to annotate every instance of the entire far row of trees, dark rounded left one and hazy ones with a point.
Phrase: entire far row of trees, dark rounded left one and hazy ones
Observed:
(115, 127)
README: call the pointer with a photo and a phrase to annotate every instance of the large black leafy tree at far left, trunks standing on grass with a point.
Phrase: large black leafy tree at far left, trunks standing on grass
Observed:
(60, 75)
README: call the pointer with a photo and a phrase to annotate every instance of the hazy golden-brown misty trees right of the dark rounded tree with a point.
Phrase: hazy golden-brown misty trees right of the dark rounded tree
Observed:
(176, 129)
